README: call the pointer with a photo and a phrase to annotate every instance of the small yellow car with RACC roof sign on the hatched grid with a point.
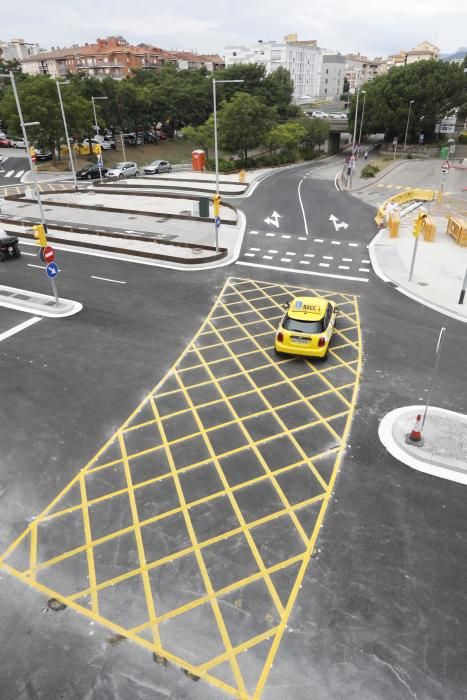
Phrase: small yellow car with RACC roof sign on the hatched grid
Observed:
(307, 327)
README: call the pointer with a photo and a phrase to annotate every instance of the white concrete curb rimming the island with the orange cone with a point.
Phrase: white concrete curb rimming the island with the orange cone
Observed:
(414, 457)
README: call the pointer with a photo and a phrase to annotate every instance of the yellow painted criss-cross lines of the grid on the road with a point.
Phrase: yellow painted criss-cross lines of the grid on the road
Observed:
(227, 312)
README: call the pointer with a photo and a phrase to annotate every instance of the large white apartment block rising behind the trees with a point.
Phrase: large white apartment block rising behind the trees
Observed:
(301, 58)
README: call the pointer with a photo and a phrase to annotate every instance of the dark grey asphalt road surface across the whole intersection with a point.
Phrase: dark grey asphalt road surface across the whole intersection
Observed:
(380, 612)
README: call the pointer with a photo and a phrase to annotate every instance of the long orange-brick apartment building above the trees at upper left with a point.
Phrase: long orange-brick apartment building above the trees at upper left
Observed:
(114, 58)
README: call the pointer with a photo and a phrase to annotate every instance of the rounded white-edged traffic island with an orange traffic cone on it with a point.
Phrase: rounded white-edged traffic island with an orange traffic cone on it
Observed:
(442, 451)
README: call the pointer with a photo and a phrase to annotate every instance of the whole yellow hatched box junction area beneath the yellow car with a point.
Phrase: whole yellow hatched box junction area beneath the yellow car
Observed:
(219, 340)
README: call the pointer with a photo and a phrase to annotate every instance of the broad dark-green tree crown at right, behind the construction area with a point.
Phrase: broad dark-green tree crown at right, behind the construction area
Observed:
(435, 87)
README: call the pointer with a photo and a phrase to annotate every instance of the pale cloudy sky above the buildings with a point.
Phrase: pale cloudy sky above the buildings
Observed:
(373, 29)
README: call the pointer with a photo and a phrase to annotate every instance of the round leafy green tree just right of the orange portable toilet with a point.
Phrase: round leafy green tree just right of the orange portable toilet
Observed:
(244, 122)
